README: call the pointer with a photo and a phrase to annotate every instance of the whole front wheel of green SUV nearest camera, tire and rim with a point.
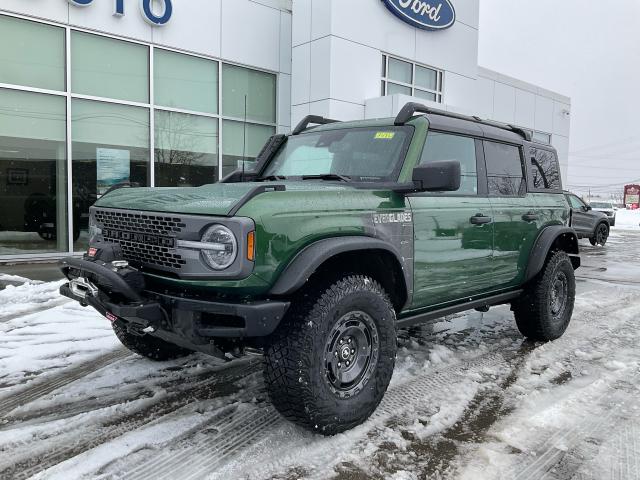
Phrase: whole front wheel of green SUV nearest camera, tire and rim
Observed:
(330, 361)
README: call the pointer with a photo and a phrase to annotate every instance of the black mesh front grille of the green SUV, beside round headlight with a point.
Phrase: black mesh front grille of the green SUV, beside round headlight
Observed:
(144, 239)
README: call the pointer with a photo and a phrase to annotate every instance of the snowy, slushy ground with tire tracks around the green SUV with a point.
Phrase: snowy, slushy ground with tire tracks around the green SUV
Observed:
(469, 399)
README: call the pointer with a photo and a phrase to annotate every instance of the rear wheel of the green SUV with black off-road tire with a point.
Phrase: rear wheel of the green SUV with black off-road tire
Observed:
(534, 310)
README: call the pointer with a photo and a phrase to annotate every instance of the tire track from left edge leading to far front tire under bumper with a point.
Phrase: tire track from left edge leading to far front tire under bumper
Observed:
(56, 381)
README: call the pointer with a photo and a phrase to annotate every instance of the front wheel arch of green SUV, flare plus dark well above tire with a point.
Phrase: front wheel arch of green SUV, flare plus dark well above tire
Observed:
(351, 254)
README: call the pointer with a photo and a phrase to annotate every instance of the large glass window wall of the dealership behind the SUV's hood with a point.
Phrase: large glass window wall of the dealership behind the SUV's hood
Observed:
(65, 141)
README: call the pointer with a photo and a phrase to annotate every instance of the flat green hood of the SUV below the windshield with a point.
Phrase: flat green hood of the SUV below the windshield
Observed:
(214, 199)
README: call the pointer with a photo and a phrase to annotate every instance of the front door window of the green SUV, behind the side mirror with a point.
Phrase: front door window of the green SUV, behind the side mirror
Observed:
(445, 146)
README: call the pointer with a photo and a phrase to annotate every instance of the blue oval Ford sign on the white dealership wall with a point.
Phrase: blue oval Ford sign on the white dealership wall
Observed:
(427, 15)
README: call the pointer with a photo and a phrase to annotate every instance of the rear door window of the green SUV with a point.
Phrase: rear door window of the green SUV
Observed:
(505, 175)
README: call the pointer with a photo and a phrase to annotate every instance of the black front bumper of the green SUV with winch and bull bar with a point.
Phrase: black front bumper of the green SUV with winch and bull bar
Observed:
(194, 320)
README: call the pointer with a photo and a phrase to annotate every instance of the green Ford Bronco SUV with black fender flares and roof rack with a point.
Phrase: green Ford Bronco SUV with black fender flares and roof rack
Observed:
(341, 234)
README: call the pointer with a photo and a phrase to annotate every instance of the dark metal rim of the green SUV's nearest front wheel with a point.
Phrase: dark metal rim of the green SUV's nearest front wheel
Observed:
(351, 353)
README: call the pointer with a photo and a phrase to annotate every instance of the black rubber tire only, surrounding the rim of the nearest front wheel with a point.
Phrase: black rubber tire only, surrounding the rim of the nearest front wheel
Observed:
(291, 379)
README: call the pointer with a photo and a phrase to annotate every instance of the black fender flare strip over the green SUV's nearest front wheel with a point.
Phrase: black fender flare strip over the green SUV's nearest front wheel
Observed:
(307, 261)
